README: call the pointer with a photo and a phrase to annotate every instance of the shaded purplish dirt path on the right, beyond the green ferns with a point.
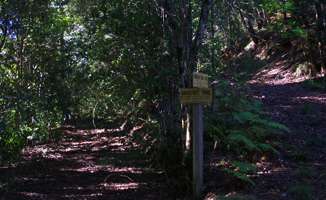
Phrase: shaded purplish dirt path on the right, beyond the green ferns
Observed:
(300, 172)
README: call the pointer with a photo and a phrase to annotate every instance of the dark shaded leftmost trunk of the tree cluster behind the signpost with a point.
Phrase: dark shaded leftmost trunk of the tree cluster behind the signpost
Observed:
(170, 107)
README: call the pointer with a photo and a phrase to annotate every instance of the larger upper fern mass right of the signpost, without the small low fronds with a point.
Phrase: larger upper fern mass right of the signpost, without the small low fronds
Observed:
(245, 131)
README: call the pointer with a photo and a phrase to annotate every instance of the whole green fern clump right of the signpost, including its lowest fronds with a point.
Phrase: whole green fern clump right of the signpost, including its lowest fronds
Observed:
(240, 130)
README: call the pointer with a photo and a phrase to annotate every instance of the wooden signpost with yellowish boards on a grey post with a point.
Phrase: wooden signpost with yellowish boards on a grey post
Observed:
(197, 96)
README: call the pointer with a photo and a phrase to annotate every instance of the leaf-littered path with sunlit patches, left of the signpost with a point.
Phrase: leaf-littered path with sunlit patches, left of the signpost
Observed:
(84, 164)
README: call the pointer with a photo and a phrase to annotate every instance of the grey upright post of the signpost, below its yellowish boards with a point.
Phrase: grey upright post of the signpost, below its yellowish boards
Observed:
(198, 156)
